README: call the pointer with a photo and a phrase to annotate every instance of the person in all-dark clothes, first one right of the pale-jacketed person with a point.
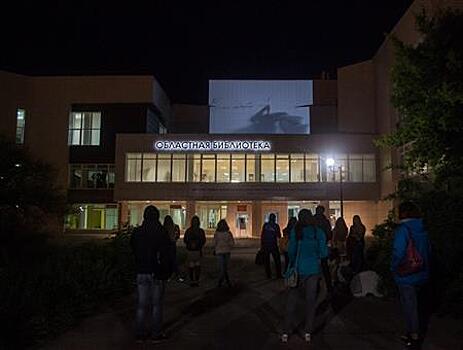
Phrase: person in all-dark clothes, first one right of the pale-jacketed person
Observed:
(271, 233)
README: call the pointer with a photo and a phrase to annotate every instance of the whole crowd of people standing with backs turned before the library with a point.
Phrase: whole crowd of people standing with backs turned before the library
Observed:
(312, 251)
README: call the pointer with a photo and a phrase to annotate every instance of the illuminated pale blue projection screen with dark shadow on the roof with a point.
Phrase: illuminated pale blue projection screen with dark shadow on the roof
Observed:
(260, 106)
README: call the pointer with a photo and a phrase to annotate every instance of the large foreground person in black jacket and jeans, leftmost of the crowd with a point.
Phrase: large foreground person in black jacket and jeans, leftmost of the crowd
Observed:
(151, 246)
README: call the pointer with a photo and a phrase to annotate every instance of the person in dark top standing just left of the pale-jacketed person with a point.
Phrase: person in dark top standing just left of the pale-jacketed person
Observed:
(194, 239)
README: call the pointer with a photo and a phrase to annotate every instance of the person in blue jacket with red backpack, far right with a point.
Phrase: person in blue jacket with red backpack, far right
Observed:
(410, 266)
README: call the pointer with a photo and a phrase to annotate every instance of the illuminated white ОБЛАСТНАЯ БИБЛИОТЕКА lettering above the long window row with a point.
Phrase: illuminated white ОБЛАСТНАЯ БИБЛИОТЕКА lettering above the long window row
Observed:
(211, 146)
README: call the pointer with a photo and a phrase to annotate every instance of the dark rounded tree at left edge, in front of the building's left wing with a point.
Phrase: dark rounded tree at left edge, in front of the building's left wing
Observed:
(28, 194)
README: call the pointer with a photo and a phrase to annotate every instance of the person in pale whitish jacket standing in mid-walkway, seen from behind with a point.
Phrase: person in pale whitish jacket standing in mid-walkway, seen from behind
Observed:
(223, 245)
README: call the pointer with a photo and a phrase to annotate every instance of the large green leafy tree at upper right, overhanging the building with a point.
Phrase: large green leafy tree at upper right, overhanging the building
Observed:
(427, 92)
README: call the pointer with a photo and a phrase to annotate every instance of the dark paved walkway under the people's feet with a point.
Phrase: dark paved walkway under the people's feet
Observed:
(249, 316)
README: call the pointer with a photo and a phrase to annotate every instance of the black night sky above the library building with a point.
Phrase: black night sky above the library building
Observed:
(186, 43)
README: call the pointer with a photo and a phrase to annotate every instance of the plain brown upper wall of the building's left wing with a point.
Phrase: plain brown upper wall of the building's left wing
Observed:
(48, 102)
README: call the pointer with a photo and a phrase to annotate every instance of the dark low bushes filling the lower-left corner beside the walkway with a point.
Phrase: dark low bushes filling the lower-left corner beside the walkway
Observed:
(45, 288)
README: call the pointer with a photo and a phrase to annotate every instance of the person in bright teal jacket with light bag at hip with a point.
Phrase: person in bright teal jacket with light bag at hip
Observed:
(307, 246)
